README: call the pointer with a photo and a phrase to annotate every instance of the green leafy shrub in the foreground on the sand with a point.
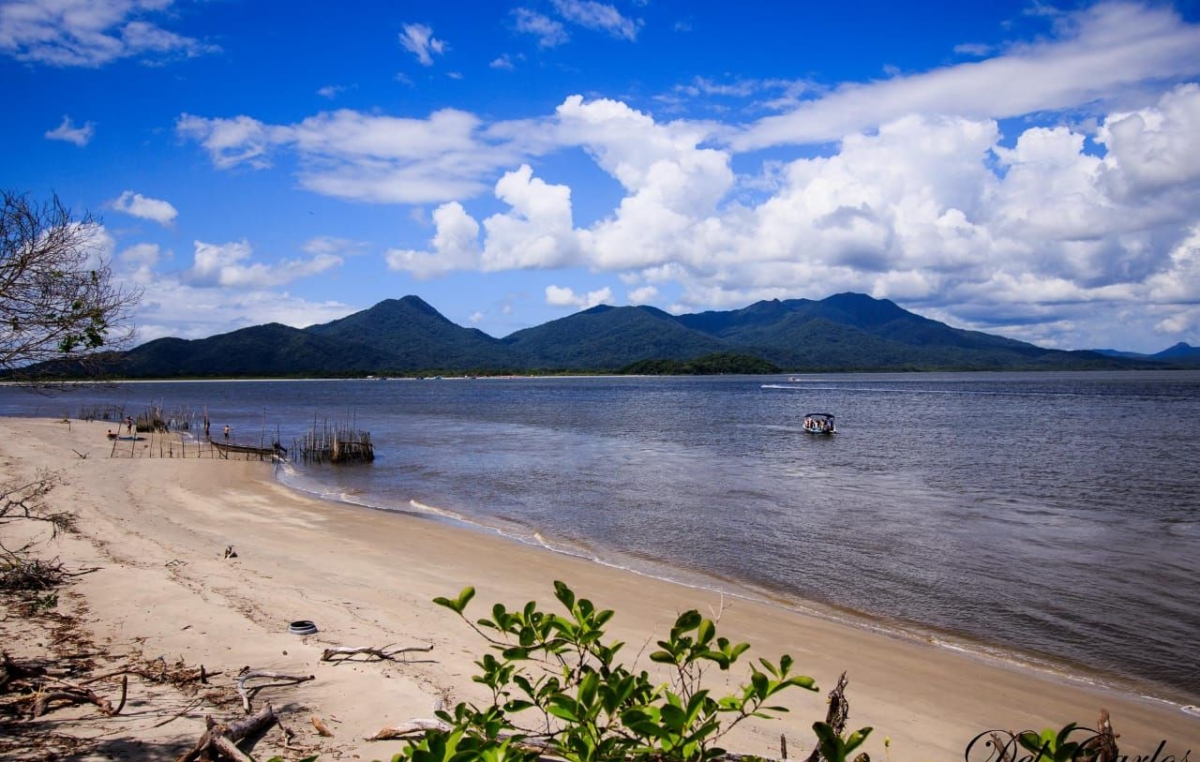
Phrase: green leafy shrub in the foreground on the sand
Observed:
(557, 689)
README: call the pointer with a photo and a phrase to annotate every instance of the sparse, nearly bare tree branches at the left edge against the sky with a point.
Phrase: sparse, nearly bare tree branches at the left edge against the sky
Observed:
(59, 304)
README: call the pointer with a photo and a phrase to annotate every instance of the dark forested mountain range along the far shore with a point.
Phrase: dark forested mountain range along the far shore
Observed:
(407, 337)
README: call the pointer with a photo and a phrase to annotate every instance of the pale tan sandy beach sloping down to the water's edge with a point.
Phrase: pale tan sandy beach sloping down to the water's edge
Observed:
(158, 529)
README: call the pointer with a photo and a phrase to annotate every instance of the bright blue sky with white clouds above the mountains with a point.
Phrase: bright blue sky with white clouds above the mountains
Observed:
(1030, 170)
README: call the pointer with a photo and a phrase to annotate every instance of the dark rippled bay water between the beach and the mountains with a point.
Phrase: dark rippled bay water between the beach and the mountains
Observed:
(1048, 518)
